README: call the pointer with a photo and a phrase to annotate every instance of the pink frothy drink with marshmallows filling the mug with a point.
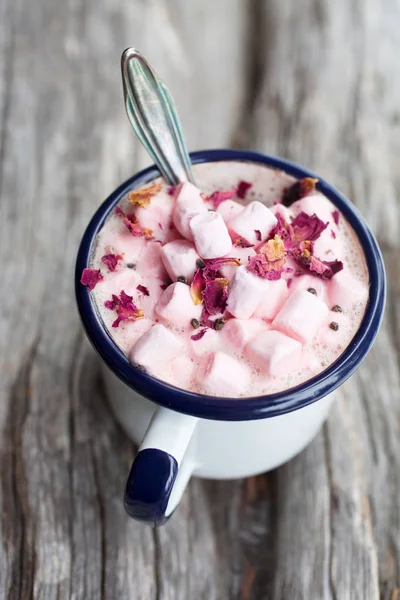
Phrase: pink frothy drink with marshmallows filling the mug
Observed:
(256, 355)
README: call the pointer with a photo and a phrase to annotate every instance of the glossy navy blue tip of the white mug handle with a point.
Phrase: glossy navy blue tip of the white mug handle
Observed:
(150, 482)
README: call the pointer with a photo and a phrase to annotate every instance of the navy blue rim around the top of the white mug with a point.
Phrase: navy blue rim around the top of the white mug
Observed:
(223, 408)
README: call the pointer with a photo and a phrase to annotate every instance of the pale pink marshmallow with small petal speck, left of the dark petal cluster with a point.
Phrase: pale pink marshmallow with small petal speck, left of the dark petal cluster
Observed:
(255, 217)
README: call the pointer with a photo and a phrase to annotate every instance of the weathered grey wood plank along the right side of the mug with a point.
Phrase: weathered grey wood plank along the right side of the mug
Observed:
(327, 101)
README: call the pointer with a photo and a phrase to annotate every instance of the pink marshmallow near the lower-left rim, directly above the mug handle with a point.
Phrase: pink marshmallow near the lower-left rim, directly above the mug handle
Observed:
(155, 348)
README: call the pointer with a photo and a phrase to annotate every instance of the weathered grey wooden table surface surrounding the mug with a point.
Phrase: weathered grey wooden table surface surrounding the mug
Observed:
(313, 80)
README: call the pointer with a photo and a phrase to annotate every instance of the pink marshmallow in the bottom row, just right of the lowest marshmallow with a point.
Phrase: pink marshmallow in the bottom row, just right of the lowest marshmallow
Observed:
(275, 353)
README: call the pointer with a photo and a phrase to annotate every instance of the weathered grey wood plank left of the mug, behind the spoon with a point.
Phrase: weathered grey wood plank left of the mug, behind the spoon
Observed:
(65, 143)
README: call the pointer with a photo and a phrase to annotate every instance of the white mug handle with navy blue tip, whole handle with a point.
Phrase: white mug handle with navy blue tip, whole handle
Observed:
(160, 470)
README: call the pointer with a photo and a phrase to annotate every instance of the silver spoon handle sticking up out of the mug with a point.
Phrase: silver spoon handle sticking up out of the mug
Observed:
(153, 116)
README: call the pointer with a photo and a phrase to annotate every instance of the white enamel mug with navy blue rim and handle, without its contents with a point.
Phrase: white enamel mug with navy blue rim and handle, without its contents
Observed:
(181, 434)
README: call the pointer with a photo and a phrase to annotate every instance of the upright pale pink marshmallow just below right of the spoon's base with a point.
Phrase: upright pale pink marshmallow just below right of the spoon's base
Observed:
(210, 235)
